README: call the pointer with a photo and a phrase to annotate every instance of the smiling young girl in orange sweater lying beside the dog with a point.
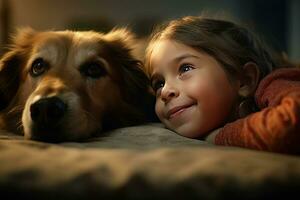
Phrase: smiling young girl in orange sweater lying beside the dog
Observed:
(215, 80)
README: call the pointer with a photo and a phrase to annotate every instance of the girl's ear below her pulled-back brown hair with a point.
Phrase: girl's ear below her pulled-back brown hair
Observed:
(249, 80)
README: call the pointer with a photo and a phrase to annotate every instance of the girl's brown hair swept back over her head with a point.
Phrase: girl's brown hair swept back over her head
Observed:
(230, 44)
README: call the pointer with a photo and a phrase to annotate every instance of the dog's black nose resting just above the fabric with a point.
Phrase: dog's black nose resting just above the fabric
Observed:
(48, 112)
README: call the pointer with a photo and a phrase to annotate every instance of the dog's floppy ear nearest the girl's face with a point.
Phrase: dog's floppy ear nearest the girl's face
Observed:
(135, 83)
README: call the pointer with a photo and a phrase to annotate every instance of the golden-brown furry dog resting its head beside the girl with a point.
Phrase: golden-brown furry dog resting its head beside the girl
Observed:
(93, 75)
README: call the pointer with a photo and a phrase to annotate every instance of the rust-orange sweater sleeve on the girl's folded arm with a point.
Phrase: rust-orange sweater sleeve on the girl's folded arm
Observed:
(276, 127)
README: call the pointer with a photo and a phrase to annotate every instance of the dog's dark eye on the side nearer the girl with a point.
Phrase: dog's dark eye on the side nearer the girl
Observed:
(93, 70)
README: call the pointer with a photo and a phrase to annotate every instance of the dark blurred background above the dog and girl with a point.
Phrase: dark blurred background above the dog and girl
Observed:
(277, 20)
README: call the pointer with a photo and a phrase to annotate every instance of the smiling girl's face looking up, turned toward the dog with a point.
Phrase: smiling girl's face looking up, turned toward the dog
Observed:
(193, 92)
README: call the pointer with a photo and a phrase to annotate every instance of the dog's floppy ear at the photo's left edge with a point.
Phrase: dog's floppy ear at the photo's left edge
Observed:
(10, 66)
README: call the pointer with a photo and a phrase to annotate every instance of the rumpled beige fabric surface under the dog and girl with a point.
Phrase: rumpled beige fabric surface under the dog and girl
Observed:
(142, 162)
